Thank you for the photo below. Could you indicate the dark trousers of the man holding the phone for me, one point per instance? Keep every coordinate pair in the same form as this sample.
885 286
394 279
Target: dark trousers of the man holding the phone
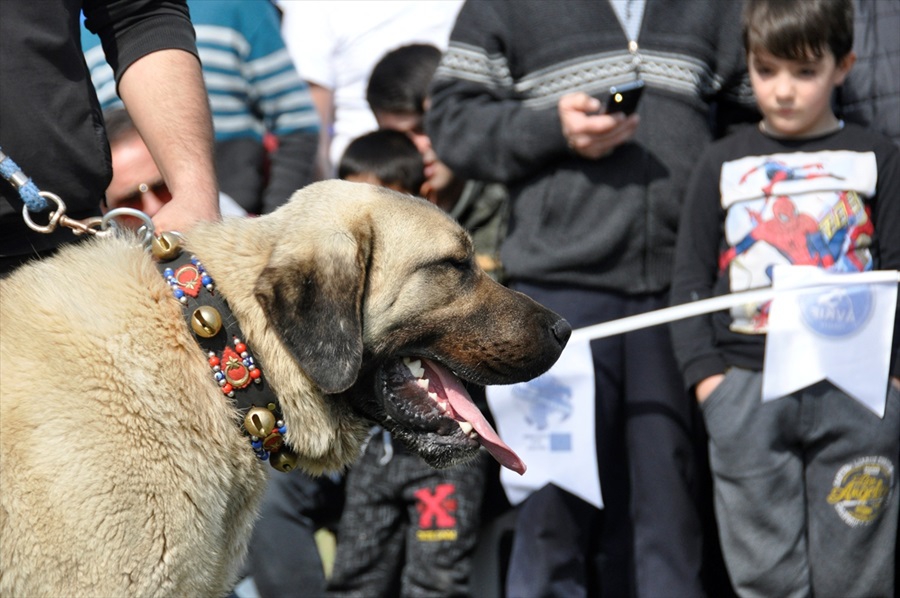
648 540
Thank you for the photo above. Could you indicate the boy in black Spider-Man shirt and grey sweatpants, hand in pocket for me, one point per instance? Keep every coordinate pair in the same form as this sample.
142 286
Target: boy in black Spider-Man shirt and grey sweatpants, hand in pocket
781 467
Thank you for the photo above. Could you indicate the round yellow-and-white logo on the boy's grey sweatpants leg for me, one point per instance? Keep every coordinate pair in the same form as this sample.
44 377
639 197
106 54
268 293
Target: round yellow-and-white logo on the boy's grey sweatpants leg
862 489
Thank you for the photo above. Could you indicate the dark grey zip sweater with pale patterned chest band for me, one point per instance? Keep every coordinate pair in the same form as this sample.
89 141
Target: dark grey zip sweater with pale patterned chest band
608 224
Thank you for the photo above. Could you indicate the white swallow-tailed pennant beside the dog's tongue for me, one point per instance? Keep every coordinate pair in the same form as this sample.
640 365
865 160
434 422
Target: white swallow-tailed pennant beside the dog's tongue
549 422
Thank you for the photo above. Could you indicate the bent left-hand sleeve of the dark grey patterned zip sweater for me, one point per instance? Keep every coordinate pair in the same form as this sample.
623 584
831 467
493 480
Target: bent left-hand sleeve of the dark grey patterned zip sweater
478 125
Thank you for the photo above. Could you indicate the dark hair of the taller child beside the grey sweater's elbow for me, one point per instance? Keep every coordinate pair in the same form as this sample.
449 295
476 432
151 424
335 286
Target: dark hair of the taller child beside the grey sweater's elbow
400 80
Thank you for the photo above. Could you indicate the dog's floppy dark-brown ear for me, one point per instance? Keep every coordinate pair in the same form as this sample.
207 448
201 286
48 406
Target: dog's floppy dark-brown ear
314 303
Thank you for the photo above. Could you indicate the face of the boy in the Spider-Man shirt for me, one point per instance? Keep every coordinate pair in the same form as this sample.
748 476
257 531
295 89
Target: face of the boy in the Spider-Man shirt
794 96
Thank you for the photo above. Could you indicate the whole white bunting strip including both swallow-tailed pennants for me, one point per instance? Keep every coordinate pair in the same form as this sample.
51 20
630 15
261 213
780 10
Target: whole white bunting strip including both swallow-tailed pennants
549 421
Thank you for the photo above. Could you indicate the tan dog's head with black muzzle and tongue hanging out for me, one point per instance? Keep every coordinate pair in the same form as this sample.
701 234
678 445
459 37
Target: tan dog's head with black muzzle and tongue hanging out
377 297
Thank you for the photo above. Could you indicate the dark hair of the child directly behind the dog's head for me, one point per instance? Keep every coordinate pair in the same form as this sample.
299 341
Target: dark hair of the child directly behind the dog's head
389 155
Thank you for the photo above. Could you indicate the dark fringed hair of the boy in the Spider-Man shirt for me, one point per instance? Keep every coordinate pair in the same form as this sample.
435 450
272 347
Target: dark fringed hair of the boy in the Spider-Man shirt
799 29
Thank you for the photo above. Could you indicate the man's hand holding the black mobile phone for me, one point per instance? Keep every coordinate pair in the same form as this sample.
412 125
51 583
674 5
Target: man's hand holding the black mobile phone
590 134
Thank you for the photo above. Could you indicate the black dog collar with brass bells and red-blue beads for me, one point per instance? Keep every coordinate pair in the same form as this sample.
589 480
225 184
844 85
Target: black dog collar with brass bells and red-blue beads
231 364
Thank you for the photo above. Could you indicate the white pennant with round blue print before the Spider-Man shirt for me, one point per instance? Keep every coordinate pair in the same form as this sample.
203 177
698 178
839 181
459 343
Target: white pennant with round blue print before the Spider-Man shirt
830 326
